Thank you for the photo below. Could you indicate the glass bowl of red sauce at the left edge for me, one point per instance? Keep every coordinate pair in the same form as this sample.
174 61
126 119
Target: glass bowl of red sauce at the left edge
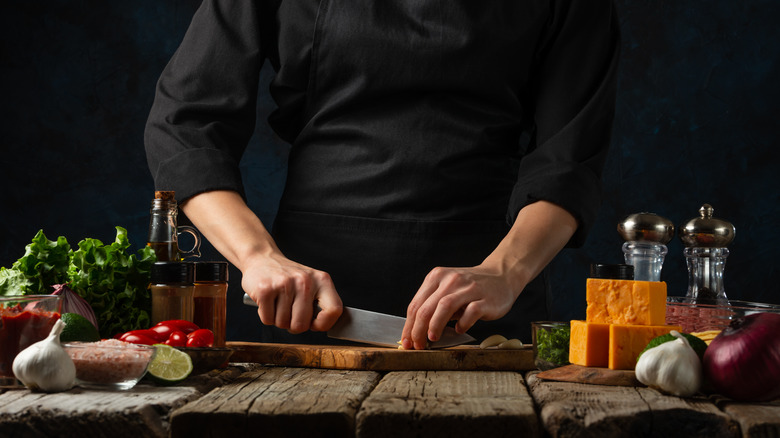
24 320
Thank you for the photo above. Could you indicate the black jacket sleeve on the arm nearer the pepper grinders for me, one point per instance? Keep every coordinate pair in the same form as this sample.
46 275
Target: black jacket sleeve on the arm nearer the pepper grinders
574 104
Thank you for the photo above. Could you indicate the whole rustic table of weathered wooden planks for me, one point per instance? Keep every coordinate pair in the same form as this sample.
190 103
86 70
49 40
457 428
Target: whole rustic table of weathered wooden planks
269 401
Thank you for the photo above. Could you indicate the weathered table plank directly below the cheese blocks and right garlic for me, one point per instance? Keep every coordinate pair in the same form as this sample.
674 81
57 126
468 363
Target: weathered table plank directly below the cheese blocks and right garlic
580 410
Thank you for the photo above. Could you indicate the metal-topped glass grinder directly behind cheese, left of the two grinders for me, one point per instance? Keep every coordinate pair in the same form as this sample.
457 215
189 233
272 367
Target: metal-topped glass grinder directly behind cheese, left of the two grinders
646 236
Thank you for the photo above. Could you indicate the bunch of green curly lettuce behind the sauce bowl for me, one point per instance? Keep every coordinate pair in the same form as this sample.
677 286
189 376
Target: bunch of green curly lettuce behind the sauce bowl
110 278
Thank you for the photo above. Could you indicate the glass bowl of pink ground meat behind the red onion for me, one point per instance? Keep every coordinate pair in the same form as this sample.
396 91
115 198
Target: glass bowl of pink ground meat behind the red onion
699 317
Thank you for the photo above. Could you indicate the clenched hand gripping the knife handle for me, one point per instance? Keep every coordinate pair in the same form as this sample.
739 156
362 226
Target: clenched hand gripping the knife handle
285 292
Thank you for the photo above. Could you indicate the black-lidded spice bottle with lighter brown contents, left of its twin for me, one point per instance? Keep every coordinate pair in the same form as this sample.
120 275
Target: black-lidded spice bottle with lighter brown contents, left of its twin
172 287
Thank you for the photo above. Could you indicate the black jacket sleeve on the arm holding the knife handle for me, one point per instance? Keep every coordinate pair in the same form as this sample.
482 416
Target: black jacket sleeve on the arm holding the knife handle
204 108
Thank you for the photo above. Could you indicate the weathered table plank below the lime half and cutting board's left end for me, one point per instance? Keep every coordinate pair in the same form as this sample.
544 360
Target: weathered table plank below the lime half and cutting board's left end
278 402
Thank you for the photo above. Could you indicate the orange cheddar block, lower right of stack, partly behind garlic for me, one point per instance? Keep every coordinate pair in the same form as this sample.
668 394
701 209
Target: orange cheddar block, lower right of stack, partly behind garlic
627 341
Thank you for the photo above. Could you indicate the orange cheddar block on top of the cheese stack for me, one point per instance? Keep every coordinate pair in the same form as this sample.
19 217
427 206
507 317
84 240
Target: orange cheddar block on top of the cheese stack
626 301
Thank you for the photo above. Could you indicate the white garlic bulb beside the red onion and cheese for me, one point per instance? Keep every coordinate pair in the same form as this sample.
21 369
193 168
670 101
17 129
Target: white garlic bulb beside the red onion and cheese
672 367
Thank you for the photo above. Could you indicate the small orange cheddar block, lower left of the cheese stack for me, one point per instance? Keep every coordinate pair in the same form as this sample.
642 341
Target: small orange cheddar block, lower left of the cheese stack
589 344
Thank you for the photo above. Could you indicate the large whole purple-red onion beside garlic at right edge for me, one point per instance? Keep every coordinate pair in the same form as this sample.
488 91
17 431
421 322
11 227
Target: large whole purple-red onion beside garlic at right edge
743 361
